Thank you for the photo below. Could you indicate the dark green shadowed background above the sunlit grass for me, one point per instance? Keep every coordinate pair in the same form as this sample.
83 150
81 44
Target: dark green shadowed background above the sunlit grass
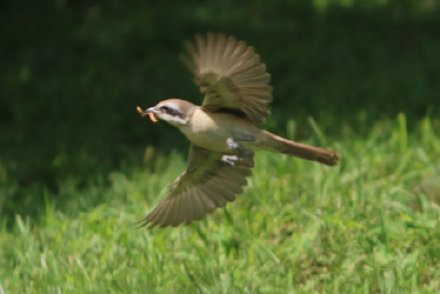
72 73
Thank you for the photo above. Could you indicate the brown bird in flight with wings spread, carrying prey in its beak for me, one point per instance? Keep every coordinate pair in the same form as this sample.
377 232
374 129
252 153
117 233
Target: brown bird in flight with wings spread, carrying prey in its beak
223 131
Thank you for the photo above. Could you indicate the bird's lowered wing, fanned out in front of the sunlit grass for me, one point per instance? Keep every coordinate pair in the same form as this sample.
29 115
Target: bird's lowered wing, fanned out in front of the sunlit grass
207 183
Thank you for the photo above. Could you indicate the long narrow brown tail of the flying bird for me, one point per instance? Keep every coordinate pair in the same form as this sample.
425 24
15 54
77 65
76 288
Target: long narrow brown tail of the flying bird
276 143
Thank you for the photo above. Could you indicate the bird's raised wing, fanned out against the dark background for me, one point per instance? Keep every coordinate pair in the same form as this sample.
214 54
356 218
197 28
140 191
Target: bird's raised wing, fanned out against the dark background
230 75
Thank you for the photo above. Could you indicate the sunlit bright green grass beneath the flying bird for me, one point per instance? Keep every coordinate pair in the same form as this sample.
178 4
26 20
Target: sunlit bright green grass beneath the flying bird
369 225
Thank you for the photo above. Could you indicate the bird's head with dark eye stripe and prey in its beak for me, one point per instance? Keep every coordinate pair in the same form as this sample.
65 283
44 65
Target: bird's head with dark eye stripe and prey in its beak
176 112
